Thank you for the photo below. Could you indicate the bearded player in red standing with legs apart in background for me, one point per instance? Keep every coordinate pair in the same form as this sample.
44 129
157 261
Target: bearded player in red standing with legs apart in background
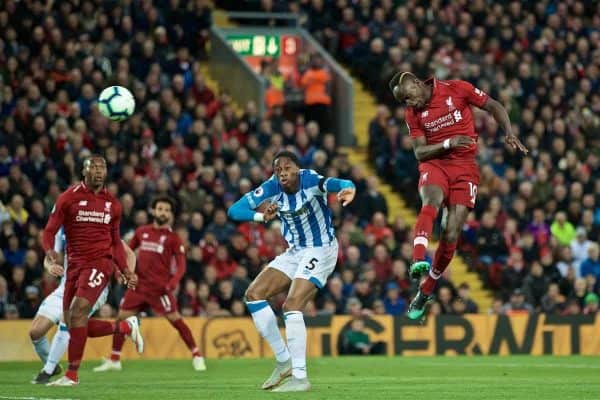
158 247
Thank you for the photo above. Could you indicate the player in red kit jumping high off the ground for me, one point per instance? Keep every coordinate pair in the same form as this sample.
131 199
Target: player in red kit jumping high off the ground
440 122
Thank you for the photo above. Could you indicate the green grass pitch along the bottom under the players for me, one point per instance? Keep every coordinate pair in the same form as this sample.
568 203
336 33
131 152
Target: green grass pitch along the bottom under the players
364 378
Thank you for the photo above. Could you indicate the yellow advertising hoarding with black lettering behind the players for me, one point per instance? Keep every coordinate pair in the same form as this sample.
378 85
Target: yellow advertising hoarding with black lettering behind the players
445 335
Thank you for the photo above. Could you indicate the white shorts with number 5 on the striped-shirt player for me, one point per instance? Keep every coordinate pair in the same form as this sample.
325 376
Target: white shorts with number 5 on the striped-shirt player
314 264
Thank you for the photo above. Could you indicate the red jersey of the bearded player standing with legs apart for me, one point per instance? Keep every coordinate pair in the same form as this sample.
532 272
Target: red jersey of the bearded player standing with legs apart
158 247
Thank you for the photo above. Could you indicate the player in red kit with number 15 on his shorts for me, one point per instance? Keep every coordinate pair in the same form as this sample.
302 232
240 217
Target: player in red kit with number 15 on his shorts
90 217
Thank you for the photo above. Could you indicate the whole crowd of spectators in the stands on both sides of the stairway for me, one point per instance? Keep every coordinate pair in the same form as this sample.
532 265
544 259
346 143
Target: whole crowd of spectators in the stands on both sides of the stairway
187 141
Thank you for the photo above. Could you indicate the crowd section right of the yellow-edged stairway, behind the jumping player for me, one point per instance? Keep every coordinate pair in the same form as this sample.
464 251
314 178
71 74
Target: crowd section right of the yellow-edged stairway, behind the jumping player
535 230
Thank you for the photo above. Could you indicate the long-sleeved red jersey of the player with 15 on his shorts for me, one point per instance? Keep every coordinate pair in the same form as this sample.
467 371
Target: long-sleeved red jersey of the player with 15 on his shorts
91 225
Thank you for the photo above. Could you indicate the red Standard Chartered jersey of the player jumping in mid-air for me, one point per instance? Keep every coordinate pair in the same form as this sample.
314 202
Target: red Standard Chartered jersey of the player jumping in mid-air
448 114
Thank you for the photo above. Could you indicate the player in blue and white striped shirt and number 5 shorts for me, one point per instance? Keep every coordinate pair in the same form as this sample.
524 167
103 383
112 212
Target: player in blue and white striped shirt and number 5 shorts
299 198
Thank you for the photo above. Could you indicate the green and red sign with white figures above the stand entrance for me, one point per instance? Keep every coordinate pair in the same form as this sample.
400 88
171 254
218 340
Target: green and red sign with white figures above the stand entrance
254 48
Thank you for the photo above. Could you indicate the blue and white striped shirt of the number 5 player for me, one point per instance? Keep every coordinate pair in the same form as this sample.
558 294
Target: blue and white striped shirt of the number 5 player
306 218
